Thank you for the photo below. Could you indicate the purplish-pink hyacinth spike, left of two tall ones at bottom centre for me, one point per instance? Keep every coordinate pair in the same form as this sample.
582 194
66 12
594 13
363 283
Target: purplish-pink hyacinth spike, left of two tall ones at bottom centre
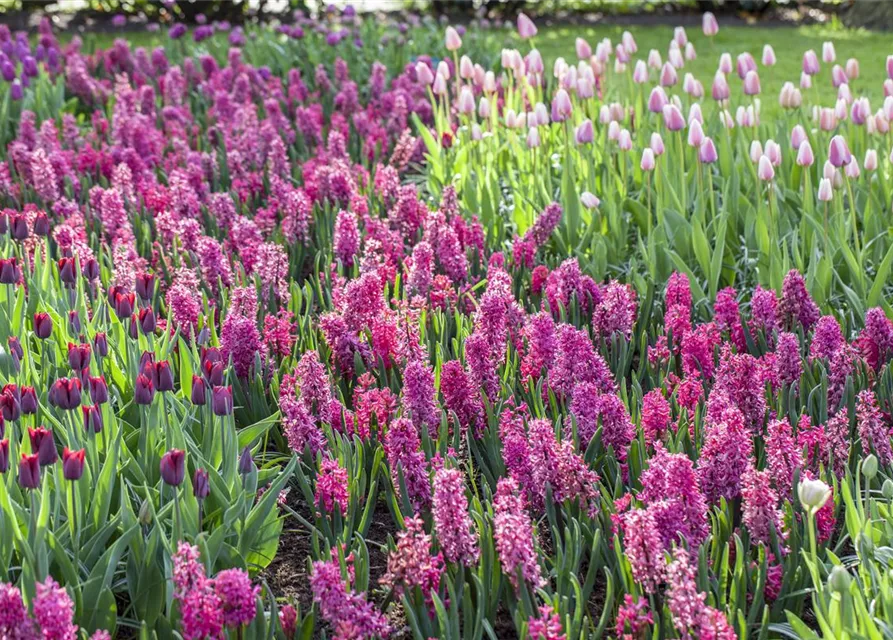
454 527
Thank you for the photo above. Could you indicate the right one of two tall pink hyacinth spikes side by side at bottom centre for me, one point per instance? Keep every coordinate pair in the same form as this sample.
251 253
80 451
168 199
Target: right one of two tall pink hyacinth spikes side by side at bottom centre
514 535
